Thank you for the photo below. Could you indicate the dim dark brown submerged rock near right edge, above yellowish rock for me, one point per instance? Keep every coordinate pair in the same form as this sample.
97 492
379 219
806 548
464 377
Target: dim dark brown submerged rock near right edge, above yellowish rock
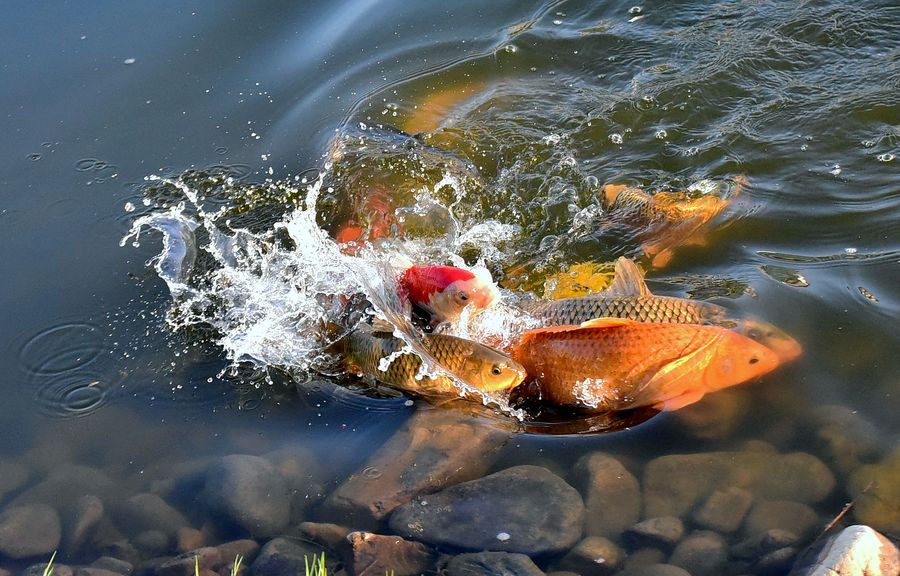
844 438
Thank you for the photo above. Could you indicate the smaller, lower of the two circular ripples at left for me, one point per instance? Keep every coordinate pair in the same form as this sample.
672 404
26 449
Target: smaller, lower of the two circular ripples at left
77 394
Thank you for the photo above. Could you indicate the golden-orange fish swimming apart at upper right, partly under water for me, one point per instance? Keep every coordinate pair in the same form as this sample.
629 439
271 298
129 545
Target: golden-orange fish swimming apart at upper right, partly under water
664 220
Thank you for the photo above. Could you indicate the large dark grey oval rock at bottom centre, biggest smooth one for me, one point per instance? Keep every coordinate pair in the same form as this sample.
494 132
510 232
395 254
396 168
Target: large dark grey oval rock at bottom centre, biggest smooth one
521 509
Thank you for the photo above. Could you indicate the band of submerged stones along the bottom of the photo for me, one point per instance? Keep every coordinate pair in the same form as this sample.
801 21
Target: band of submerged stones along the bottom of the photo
434 499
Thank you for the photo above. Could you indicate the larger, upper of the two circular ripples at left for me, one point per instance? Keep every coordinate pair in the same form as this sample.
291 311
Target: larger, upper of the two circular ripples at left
62 348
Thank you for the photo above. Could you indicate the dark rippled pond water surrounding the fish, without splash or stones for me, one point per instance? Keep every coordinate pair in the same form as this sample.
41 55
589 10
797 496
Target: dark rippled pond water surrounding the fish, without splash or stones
801 97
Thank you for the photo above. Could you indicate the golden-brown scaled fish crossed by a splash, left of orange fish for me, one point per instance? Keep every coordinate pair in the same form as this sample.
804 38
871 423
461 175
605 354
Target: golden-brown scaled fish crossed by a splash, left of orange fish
479 366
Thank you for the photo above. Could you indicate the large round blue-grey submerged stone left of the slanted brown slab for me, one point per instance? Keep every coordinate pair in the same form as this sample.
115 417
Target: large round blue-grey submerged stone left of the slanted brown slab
246 493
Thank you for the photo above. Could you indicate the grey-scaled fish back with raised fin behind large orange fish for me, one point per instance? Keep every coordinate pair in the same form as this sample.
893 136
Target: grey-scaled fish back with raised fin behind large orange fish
626 297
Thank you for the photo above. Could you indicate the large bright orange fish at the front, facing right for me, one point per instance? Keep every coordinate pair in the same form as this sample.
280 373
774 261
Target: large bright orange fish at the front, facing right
617 364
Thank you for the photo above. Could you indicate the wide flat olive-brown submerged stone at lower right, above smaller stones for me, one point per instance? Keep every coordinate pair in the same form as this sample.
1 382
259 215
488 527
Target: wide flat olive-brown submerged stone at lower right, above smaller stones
674 484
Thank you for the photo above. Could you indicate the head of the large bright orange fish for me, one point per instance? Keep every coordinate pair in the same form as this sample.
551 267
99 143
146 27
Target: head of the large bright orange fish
735 359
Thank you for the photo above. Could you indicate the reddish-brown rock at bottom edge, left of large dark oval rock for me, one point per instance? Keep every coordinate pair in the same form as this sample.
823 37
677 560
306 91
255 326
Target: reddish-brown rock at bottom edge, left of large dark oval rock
376 555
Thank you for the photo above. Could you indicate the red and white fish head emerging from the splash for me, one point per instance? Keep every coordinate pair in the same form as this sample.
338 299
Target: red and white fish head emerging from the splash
443 292
